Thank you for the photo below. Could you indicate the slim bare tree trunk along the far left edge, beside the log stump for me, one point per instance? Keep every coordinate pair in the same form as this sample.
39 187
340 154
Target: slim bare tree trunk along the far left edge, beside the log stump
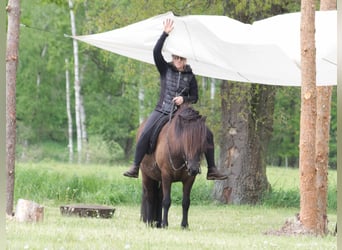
13 9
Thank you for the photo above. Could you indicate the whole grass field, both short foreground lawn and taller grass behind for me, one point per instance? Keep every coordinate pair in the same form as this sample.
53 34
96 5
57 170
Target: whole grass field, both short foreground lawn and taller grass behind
211 225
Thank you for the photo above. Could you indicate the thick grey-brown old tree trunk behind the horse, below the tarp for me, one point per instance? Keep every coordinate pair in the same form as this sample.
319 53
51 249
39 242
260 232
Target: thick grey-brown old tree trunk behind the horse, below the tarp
243 142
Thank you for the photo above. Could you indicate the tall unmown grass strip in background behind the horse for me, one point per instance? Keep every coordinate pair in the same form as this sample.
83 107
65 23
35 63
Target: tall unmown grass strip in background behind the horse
55 183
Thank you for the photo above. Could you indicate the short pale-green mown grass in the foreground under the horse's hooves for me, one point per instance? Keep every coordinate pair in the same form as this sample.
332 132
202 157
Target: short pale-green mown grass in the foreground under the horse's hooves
210 227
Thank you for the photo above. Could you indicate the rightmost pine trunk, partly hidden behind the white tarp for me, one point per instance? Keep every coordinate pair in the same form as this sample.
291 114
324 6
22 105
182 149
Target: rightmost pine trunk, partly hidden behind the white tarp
322 142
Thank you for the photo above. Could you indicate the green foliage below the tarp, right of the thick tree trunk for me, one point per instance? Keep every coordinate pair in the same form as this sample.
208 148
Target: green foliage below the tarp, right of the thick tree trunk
283 149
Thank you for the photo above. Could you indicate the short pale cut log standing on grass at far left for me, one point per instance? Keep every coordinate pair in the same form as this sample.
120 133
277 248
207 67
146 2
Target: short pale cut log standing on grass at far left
29 211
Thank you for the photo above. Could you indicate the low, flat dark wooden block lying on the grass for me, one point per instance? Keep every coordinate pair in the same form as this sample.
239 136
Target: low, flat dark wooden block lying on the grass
86 210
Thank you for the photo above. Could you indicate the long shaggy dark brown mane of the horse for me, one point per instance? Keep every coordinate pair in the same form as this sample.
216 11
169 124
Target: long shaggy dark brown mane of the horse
190 129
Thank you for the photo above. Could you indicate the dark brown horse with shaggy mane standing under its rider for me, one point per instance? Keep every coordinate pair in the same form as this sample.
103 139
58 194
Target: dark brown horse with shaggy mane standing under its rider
180 145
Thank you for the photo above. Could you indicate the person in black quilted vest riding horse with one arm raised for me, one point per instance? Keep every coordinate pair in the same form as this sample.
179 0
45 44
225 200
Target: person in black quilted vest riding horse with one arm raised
178 86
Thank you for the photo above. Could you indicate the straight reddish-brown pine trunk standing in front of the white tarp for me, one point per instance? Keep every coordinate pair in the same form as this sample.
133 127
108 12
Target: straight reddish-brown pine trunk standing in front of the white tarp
308 173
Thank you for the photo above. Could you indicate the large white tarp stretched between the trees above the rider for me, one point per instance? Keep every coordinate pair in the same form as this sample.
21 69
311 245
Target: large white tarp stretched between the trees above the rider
268 51
